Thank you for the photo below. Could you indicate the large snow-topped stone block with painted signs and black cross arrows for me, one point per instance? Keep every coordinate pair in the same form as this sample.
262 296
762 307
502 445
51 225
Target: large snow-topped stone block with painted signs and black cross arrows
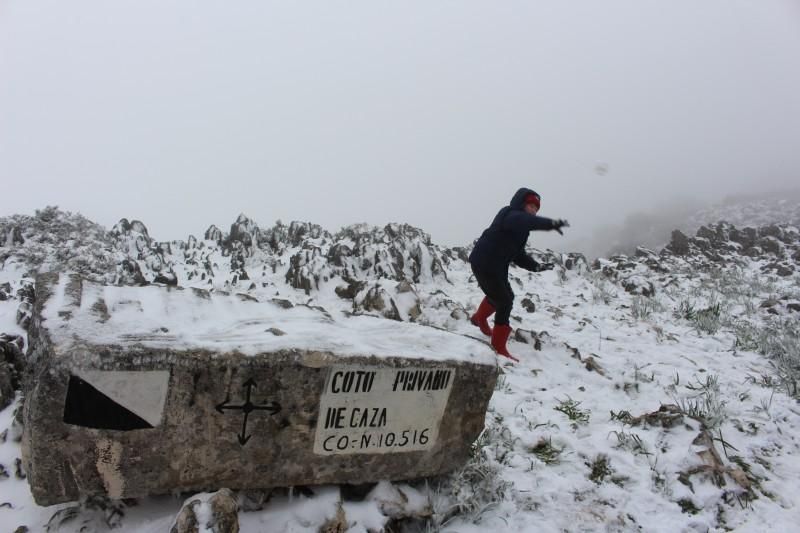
133 391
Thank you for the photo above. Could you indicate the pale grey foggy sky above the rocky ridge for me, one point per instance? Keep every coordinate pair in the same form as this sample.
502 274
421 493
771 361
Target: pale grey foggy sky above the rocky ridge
186 113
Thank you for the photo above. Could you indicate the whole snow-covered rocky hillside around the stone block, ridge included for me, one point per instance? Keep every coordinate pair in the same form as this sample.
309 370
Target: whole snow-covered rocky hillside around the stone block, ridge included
655 392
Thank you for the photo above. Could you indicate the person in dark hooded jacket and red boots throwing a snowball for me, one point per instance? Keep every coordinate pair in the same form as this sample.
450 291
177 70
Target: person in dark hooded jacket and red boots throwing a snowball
501 244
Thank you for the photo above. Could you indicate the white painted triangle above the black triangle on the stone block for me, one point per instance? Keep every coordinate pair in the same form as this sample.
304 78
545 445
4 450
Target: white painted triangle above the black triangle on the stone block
144 393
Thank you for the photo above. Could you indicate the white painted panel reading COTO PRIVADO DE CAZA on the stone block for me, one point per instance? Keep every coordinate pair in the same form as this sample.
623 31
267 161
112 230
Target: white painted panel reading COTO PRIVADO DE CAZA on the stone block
381 410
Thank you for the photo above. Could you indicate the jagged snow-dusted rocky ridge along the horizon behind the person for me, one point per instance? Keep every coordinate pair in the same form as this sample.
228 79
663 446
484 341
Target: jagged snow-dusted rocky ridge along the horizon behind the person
394 271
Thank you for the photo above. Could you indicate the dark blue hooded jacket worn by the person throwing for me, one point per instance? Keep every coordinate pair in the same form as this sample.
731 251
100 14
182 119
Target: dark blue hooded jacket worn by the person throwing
504 241
